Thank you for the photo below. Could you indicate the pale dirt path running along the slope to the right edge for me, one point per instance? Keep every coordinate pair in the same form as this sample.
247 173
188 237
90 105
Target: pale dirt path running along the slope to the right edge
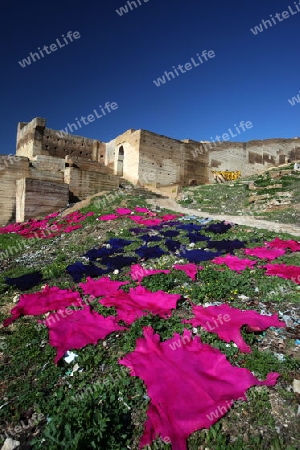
240 220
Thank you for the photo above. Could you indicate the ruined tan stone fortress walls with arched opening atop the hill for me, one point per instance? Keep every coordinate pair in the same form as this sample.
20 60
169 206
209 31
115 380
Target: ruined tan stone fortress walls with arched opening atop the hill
51 168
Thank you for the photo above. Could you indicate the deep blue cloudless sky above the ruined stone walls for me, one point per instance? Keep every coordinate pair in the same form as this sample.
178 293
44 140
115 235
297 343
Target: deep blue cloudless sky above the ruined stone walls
117 58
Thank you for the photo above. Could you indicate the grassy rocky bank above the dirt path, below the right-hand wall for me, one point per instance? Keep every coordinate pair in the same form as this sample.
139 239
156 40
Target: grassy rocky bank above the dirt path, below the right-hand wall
281 201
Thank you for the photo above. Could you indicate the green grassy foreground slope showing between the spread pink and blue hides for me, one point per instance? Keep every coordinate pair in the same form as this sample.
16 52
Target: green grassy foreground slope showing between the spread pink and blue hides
93 403
